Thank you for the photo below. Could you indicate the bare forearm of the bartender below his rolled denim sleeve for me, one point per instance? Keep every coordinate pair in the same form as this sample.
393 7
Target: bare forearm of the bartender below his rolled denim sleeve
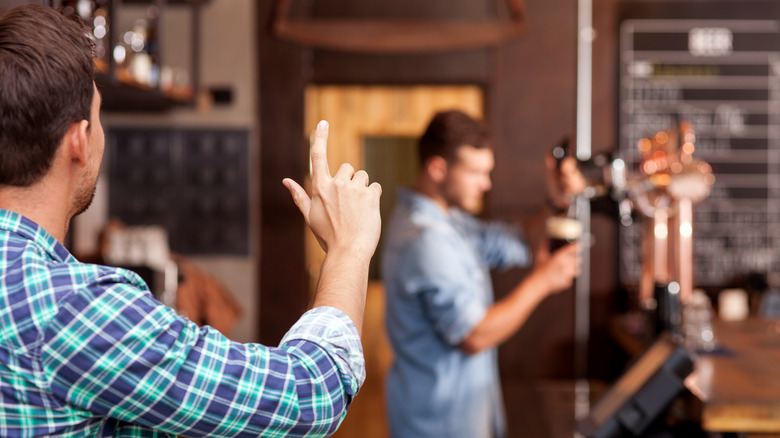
505 317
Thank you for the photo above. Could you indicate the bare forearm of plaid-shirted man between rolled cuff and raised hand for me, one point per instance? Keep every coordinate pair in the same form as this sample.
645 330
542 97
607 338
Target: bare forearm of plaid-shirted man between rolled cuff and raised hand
343 283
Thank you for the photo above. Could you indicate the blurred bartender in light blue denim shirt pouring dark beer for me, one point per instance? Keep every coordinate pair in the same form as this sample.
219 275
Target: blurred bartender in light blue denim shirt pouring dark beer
442 320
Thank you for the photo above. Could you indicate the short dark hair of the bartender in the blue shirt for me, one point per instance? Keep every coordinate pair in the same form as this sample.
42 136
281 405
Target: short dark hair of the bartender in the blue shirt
449 130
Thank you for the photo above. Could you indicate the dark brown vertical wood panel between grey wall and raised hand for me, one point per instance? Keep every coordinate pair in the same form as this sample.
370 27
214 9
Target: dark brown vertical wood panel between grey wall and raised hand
283 153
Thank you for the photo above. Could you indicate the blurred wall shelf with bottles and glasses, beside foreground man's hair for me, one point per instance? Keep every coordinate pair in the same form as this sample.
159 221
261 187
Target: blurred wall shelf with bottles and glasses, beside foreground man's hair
128 52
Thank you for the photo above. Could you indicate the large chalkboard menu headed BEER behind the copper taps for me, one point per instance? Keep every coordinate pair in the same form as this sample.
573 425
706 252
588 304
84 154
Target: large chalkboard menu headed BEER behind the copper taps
716 65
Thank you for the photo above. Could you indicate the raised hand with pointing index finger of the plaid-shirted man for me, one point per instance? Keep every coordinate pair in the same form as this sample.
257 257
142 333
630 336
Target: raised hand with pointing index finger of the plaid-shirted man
343 211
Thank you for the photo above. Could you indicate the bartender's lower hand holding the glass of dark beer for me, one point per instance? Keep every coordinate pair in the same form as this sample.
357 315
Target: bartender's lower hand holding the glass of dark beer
558 270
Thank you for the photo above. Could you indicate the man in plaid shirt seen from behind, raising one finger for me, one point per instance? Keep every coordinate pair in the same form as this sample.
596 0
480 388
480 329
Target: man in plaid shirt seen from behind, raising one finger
85 350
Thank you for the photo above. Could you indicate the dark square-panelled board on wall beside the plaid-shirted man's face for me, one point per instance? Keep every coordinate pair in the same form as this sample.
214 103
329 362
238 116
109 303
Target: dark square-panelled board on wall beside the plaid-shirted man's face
192 182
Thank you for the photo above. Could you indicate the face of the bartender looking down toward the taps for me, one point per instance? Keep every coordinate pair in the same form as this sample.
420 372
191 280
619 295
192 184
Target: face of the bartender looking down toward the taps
468 178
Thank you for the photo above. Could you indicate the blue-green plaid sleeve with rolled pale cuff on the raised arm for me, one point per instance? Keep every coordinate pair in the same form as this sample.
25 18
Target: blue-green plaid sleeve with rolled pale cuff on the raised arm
115 351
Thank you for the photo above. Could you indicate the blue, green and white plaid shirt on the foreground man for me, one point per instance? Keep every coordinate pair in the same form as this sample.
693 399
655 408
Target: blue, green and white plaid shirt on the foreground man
85 350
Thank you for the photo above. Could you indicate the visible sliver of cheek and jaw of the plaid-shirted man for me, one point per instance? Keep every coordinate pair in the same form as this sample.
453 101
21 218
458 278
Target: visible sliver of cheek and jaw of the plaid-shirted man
96 141
